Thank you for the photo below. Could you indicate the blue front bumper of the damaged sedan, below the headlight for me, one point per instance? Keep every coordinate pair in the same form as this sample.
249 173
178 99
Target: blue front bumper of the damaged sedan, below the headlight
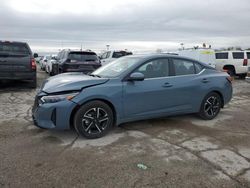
53 115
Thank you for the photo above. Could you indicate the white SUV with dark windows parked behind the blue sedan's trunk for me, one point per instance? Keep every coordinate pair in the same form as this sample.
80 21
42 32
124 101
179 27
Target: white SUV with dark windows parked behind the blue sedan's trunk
234 62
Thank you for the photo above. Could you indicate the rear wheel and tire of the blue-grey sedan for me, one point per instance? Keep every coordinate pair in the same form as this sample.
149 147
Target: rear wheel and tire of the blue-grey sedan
210 106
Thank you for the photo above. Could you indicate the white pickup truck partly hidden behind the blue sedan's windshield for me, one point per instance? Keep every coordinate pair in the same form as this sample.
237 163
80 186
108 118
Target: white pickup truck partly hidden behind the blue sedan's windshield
110 56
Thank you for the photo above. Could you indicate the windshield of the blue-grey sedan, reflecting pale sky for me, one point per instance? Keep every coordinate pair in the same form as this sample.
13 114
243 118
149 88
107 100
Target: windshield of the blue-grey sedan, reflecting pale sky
117 67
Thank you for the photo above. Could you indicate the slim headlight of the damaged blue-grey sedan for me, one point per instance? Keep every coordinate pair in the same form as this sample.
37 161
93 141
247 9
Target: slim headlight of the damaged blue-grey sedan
57 98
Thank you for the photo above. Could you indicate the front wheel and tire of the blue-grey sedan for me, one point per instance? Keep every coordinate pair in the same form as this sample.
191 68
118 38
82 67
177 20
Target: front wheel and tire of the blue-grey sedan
94 119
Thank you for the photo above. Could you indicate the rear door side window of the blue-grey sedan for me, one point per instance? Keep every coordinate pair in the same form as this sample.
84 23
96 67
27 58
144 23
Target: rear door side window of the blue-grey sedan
183 67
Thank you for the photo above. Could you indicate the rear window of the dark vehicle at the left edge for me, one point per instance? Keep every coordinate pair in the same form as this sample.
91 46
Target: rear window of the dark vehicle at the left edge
14 48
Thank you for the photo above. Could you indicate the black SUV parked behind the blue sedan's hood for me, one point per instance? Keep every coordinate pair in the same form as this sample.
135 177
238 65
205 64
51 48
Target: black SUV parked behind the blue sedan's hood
76 61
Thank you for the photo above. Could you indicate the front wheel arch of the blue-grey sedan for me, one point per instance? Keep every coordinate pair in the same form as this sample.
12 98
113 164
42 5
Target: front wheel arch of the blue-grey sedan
95 99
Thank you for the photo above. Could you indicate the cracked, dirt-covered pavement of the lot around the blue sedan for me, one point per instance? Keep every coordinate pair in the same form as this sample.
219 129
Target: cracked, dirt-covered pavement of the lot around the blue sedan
182 151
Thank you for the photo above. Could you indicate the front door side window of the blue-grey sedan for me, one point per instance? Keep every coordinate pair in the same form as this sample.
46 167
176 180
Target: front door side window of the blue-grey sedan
155 69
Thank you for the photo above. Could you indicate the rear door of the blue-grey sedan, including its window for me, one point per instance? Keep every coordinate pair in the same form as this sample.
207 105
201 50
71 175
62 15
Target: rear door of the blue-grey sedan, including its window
188 84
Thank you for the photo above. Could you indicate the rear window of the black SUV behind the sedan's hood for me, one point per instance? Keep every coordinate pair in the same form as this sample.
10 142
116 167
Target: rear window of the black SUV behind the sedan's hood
82 56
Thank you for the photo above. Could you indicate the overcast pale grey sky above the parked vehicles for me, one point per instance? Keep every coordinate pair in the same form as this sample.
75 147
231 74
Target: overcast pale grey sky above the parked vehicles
136 25
